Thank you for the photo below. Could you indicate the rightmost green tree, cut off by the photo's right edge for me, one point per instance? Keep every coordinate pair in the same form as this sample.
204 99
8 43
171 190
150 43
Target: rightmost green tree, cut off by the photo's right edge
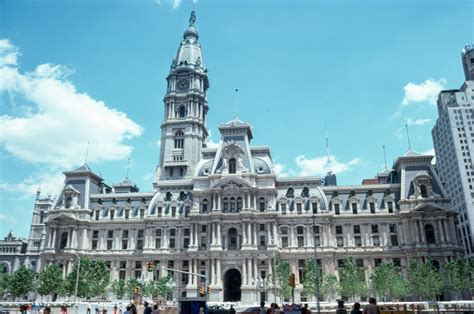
459 275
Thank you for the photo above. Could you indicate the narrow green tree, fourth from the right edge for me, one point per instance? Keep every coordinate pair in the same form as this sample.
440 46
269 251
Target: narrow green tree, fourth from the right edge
352 279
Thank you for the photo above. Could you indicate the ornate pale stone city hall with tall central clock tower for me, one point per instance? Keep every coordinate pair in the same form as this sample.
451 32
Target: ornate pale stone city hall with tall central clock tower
224 212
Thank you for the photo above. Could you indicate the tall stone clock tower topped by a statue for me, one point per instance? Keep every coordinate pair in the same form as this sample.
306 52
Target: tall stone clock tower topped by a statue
183 129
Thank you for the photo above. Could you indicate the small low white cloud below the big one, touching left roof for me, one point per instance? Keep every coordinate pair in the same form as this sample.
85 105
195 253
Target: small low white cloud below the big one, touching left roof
48 182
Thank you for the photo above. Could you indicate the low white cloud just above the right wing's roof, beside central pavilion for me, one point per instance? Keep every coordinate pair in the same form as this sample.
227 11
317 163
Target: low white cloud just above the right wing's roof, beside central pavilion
318 166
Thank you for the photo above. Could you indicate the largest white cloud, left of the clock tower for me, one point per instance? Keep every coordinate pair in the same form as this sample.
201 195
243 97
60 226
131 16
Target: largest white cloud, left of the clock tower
59 120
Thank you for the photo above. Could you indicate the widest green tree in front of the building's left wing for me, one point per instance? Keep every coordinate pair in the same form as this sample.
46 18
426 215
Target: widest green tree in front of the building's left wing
94 278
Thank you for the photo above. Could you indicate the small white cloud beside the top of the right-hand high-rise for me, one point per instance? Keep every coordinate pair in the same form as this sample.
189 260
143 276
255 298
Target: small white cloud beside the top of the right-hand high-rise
424 92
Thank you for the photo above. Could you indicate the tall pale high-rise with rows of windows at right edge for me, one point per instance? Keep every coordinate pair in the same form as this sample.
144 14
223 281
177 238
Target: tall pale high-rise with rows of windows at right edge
453 139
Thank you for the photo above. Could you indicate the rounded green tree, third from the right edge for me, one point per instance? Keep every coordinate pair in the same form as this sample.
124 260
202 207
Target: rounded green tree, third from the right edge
388 282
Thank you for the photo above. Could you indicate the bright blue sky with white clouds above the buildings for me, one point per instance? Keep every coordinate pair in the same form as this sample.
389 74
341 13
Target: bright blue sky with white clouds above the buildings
79 71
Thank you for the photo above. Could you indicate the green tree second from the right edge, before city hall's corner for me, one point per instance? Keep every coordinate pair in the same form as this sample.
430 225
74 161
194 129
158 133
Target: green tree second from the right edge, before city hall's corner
424 279
